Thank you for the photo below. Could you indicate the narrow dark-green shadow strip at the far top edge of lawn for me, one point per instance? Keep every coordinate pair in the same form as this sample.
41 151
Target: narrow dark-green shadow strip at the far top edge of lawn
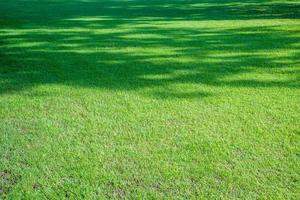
39 12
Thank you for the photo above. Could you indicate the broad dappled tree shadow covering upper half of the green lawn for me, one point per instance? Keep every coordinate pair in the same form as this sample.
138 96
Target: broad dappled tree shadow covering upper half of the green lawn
138 47
